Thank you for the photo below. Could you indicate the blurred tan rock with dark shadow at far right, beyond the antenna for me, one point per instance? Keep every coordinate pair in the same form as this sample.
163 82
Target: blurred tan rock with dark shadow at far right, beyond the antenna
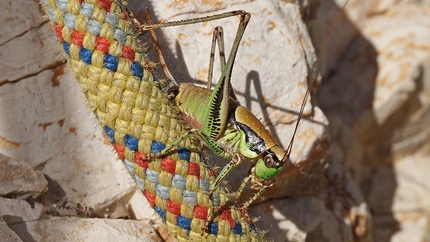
376 98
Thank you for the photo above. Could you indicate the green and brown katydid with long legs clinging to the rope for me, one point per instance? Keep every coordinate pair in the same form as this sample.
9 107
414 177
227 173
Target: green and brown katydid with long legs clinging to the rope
227 128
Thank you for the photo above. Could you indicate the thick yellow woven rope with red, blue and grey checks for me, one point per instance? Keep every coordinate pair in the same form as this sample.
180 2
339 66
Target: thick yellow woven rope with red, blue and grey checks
116 77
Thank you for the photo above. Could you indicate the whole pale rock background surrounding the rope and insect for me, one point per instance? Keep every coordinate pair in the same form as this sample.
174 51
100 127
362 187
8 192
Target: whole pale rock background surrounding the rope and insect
360 157
